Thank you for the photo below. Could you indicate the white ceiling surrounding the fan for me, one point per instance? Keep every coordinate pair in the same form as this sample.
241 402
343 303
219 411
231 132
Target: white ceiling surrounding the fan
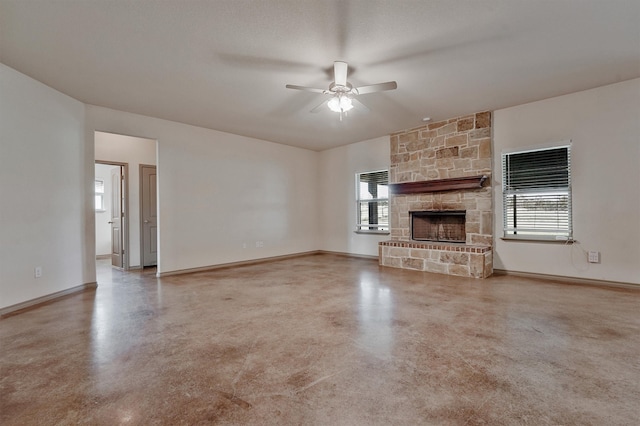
223 64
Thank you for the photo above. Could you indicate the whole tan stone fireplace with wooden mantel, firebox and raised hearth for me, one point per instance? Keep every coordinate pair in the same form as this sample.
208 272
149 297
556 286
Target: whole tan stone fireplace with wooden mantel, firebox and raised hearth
438 187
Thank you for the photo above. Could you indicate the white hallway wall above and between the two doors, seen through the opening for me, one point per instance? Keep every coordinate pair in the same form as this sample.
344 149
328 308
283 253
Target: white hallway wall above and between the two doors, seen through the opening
133 151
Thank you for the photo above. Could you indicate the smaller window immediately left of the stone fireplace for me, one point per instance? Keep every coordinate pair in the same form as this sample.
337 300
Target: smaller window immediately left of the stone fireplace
373 201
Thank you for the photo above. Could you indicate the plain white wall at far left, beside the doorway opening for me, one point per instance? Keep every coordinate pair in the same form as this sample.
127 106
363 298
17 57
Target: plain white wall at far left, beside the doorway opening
44 190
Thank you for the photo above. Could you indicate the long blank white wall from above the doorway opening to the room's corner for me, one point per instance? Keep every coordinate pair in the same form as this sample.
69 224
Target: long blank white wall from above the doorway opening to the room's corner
220 193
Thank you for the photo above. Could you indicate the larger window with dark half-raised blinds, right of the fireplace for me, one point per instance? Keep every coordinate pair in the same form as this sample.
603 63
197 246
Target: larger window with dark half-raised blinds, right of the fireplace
536 191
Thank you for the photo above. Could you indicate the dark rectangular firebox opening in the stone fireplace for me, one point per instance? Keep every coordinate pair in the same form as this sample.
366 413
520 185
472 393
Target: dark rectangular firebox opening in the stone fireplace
438 225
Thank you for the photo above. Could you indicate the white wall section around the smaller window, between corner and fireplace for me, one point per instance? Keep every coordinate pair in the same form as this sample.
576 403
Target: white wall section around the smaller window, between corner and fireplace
338 168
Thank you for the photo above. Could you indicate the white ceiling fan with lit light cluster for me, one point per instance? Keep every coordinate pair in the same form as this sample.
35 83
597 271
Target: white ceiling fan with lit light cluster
342 92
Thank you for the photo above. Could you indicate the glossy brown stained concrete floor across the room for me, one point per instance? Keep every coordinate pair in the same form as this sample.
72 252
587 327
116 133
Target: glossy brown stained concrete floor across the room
324 340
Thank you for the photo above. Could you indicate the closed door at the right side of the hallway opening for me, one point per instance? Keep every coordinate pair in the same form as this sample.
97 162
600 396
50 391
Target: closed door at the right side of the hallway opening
149 206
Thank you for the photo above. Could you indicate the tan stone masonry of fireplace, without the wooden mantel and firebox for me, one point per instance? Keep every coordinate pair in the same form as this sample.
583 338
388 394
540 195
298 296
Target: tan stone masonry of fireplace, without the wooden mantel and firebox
447 149
